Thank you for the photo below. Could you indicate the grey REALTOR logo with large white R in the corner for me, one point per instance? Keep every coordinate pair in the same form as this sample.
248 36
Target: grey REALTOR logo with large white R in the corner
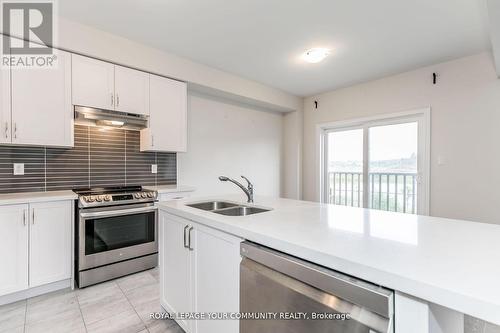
28 33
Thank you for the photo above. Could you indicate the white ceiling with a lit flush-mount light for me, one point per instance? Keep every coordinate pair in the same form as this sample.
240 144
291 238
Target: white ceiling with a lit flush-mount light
263 39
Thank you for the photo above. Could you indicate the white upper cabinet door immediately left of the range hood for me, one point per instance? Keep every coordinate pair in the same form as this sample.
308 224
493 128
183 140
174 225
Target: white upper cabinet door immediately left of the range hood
42 113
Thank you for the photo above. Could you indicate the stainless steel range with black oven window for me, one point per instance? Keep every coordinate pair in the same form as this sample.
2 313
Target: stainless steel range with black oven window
116 233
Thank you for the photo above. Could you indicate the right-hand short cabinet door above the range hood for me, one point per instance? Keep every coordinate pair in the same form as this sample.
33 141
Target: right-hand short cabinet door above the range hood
131 91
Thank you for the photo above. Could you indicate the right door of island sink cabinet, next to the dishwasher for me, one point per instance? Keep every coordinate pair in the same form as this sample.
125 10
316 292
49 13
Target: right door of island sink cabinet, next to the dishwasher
216 282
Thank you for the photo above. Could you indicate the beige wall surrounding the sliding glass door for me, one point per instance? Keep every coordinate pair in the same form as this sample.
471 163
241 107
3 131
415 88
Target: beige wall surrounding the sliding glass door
465 130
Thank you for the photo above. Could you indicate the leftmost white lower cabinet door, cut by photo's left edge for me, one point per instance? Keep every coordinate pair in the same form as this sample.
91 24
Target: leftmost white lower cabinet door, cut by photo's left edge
13 248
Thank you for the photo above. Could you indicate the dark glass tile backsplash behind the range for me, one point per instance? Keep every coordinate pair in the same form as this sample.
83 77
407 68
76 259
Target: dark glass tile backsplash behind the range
101 157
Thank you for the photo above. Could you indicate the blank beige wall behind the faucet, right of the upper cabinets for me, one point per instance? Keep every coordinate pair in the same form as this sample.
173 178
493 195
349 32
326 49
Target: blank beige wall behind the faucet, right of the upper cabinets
231 139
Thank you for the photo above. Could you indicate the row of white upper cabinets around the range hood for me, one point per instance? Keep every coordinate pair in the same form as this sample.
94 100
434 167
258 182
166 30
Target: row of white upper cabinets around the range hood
36 105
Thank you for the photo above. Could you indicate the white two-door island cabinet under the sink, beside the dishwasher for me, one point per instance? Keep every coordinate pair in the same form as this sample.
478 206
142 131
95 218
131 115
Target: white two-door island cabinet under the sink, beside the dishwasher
199 273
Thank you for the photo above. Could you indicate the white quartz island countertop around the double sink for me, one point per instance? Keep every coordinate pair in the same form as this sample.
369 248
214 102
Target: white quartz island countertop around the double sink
452 263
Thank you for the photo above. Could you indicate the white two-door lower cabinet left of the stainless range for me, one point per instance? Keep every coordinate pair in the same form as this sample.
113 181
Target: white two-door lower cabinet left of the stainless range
35 242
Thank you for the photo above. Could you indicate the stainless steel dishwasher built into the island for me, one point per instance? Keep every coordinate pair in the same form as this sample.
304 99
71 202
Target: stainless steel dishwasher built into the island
275 285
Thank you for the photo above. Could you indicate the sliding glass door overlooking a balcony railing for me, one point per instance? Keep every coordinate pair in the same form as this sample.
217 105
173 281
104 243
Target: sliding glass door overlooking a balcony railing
379 164
